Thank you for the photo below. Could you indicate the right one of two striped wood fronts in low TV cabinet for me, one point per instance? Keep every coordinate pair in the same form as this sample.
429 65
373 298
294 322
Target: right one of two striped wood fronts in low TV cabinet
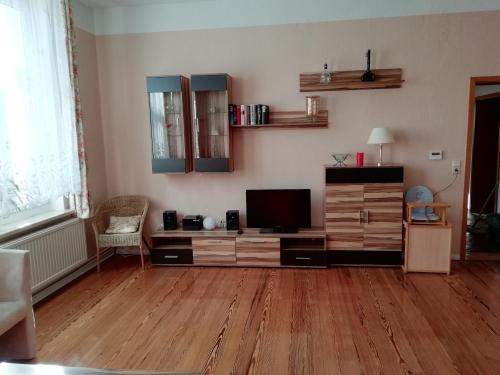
258 251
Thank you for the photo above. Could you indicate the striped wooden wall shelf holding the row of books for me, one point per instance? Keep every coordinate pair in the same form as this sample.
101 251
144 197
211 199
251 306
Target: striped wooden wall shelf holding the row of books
291 119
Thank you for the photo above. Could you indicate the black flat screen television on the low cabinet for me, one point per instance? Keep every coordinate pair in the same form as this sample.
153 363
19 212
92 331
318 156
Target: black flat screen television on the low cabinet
279 210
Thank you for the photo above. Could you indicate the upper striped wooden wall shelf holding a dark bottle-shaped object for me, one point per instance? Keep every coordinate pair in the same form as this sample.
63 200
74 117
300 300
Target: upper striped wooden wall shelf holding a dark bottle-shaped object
351 80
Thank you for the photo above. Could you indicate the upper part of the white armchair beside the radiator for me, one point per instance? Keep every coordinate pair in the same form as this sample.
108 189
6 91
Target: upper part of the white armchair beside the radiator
15 276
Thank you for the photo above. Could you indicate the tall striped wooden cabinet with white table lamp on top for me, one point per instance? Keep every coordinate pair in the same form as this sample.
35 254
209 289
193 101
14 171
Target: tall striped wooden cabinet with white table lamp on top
364 215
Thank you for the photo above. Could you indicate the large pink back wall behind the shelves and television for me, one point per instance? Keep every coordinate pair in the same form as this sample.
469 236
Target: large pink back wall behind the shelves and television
438 54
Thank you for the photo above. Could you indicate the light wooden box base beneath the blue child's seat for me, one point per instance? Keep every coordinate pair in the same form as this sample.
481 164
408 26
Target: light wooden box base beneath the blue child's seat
427 248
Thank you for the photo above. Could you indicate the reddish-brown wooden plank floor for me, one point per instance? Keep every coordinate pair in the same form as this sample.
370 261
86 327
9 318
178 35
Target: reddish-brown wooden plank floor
276 321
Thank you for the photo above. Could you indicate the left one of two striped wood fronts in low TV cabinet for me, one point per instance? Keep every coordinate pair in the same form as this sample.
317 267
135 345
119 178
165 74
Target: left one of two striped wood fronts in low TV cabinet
214 251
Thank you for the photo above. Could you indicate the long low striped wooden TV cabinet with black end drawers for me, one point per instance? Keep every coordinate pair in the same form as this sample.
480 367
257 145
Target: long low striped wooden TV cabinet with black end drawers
307 248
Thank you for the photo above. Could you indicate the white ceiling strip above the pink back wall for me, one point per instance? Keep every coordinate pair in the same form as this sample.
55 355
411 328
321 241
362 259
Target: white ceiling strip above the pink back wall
110 17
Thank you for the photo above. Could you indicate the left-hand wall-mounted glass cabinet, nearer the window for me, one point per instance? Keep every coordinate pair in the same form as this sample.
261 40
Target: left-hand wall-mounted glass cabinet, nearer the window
170 124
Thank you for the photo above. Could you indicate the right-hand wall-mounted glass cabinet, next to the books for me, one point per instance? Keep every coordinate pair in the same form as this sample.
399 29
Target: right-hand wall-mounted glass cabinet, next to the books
212 141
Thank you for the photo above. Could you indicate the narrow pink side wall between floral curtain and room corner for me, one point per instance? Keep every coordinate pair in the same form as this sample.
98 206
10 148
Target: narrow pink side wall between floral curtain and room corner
91 111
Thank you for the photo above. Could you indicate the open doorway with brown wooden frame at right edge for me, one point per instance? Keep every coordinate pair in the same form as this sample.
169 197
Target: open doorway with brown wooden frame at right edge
481 208
